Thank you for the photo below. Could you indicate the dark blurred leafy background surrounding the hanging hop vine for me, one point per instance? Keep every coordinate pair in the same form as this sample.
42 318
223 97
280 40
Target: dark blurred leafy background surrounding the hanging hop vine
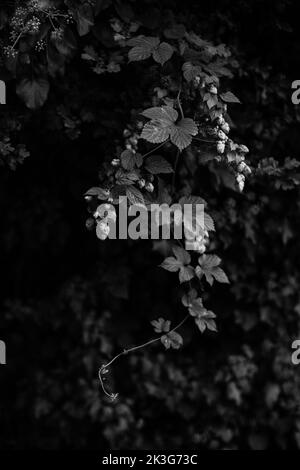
70 302
